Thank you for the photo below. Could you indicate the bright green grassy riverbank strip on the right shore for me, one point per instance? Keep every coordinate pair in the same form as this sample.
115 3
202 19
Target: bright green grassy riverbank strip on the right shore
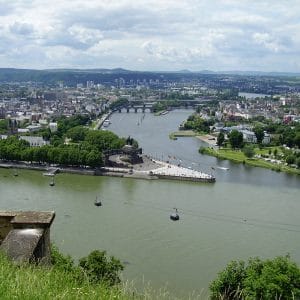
238 156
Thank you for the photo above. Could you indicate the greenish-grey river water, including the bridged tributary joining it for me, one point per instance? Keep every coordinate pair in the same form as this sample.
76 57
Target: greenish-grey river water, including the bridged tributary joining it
247 212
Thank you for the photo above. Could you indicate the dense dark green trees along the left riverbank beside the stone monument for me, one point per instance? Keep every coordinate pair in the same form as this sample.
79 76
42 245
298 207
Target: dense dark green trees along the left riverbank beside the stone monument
85 147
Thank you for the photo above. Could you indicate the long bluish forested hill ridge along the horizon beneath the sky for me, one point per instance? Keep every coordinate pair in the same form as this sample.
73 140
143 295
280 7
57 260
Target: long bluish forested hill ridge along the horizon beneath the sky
108 76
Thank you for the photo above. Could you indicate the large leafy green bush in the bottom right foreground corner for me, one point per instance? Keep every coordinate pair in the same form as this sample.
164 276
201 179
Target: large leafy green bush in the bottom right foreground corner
277 278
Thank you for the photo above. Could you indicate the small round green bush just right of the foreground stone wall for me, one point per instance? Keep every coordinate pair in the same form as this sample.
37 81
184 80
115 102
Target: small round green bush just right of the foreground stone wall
99 268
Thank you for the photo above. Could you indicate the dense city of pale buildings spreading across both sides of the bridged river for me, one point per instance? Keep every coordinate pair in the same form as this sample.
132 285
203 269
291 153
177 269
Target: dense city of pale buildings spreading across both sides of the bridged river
222 103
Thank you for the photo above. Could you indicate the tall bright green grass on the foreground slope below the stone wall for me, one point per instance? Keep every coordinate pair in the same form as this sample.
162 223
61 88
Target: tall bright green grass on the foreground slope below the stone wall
31 282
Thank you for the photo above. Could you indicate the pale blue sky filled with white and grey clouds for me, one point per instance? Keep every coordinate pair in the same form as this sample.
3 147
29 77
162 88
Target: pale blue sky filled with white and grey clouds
151 35
